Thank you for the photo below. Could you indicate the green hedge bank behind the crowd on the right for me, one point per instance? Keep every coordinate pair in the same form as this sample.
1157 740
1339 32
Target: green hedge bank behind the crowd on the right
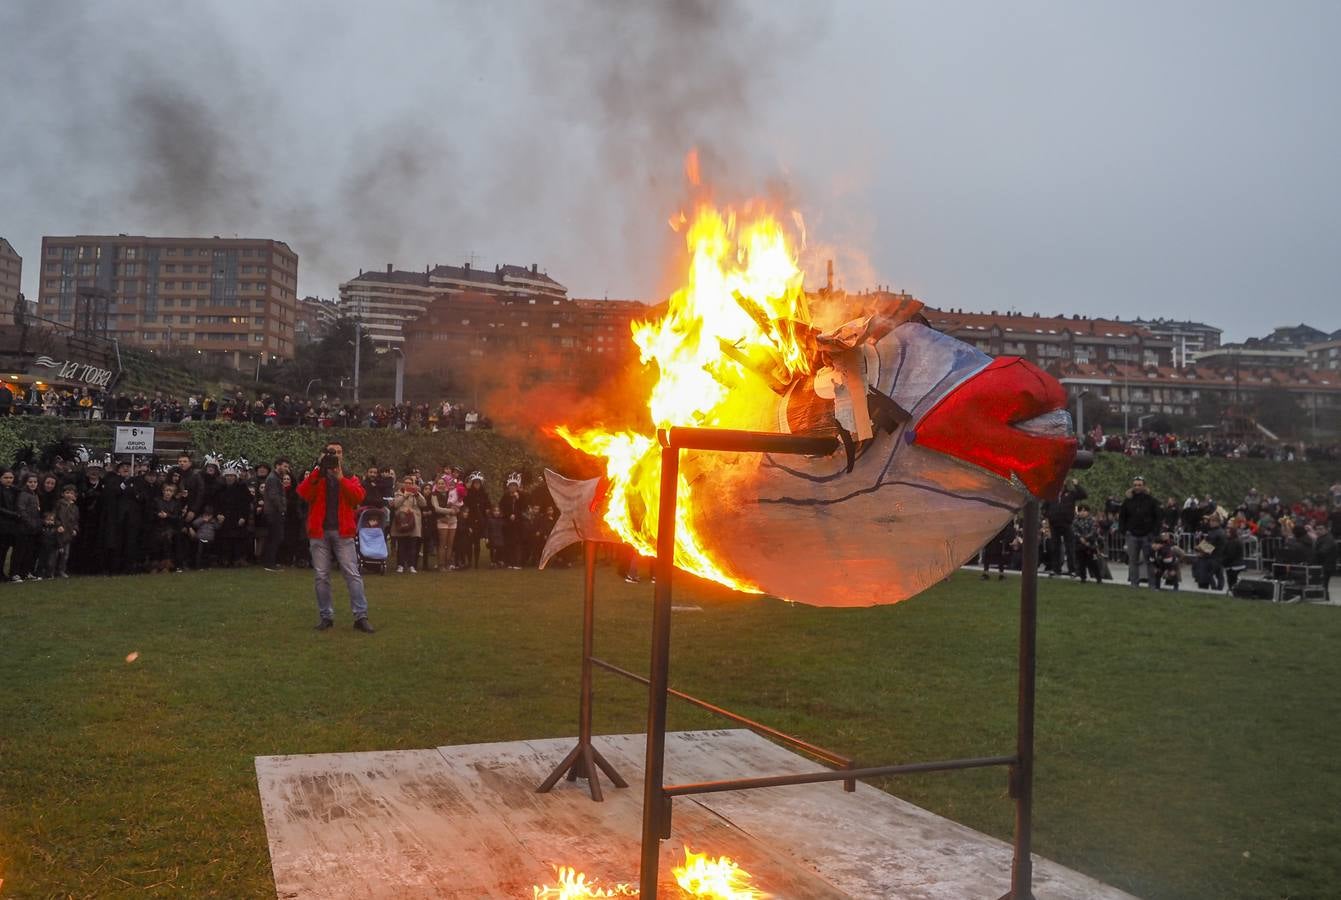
1225 480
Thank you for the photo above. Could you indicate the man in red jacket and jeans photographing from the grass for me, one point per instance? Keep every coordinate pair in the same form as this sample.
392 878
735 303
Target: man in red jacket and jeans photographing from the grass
332 498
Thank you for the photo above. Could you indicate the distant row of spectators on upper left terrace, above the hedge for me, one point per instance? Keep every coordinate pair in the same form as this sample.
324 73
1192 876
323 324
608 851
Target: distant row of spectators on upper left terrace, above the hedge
264 410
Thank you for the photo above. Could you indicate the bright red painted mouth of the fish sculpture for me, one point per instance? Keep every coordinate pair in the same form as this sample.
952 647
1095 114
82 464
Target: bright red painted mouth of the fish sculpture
980 423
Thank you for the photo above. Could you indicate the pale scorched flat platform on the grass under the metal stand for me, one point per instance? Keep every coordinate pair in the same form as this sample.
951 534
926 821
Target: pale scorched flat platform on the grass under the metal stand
466 823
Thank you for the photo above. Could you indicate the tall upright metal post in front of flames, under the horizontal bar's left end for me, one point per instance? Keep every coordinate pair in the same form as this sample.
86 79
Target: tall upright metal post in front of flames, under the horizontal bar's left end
656 805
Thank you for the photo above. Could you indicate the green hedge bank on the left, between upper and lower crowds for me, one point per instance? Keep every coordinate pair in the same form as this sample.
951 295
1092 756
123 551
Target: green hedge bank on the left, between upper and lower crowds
491 453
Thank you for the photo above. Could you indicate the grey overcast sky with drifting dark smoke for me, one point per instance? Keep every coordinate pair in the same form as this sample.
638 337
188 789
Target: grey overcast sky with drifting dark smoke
1138 159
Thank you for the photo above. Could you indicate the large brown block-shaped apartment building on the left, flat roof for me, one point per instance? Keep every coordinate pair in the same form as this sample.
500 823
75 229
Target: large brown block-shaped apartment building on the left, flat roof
229 301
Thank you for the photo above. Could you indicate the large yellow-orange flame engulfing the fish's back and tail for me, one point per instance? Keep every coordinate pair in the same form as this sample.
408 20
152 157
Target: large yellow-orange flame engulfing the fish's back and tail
734 335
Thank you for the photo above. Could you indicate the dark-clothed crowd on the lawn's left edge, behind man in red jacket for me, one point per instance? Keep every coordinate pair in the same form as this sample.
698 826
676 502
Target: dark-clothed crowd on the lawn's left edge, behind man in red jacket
61 517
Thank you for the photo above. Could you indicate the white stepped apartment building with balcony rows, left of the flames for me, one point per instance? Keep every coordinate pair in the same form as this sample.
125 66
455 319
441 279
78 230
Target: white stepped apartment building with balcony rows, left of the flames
387 302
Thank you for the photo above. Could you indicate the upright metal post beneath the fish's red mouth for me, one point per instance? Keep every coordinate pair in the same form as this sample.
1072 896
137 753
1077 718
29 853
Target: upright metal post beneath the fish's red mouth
1023 773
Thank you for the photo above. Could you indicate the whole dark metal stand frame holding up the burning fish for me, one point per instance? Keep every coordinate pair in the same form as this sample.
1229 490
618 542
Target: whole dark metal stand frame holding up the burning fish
584 760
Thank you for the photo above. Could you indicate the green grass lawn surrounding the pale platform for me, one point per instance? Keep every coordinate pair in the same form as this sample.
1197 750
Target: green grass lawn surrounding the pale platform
1189 746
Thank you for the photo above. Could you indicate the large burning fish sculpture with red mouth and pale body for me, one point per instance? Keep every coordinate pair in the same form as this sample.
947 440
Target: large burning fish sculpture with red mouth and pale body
939 446
